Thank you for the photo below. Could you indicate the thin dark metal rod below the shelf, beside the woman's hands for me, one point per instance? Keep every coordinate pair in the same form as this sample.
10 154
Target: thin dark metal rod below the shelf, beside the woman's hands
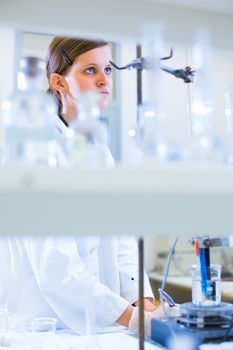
141 293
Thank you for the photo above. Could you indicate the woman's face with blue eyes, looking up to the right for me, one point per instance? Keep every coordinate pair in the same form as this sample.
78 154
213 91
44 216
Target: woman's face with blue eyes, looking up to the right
91 71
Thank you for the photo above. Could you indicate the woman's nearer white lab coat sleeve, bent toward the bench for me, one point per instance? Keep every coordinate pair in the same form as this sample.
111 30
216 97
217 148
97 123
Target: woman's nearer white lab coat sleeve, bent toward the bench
68 287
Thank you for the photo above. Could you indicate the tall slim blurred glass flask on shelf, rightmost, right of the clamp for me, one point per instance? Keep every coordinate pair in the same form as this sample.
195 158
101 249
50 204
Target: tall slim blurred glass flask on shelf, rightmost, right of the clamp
206 146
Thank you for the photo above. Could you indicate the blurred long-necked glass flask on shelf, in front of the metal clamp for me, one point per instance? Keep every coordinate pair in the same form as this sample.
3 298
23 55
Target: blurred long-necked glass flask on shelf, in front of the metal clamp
150 142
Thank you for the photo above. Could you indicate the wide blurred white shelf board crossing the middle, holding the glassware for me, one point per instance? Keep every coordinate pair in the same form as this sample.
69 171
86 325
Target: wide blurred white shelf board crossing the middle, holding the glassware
178 199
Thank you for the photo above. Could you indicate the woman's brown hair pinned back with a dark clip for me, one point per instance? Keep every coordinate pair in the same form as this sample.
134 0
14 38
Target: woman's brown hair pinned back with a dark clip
62 53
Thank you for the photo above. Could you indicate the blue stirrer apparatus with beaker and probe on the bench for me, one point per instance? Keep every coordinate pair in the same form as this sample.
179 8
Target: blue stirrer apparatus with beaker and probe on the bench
206 318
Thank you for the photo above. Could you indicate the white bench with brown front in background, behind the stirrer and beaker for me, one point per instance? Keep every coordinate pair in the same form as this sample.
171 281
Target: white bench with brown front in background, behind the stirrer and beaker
179 287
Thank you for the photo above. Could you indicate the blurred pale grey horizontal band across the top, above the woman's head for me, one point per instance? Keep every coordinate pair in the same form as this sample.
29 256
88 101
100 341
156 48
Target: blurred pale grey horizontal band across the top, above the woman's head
117 19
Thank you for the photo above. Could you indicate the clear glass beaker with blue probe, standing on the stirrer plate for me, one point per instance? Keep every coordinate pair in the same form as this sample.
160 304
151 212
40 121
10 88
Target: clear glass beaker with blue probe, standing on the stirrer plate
206 291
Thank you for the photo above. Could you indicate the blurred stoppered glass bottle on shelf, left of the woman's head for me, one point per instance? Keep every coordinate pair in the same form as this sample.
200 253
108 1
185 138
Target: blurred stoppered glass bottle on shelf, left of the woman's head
27 117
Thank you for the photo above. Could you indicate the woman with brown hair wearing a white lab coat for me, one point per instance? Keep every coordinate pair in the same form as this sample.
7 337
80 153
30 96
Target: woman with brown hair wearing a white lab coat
65 277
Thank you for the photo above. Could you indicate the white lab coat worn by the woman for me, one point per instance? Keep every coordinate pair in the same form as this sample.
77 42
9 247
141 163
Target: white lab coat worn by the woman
70 279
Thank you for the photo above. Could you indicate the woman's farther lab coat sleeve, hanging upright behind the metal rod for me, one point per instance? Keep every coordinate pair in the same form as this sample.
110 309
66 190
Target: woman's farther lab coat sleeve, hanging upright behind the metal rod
128 269
